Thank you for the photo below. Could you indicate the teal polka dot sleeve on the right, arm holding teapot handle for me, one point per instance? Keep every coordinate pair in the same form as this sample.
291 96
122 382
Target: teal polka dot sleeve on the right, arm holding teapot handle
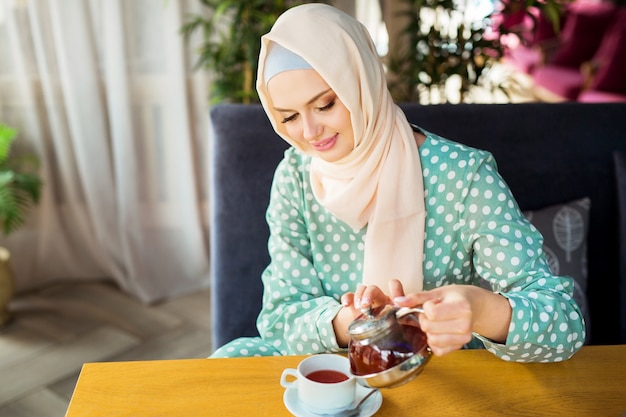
546 323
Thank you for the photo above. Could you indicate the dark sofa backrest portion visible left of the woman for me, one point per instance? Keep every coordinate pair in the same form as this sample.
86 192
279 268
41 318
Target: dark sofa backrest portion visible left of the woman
244 152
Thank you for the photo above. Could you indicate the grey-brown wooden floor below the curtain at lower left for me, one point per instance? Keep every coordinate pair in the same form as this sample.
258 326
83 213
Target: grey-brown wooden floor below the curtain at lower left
57 329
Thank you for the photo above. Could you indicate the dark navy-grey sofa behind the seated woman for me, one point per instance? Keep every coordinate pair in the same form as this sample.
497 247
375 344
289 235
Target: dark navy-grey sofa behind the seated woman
548 153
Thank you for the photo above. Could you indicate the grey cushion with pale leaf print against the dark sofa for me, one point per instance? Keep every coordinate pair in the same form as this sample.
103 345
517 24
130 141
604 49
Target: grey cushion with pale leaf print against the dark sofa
564 228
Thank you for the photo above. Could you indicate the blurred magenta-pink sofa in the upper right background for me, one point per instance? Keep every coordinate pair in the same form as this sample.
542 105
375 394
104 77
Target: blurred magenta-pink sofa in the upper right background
586 61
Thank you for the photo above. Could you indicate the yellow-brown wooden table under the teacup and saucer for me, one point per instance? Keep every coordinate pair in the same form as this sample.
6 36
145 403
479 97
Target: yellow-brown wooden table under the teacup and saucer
464 383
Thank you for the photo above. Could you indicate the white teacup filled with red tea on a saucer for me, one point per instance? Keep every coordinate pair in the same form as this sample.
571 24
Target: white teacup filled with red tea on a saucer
324 382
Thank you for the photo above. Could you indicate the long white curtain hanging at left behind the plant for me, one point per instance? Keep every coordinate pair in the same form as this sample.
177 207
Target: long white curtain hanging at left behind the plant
103 91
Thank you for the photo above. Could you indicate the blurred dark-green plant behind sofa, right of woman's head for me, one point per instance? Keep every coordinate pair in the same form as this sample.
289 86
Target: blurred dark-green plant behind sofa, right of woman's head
449 44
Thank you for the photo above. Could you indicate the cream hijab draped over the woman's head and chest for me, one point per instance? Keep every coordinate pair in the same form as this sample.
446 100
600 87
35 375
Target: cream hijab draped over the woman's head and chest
379 184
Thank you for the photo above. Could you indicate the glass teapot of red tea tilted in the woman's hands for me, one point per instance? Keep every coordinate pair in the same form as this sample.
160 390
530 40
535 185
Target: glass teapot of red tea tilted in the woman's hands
387 347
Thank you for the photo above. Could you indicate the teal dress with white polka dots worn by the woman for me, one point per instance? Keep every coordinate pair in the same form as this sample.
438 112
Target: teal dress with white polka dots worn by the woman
475 234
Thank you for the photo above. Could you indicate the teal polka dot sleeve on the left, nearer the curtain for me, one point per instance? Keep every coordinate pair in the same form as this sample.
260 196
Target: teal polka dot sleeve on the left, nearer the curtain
296 316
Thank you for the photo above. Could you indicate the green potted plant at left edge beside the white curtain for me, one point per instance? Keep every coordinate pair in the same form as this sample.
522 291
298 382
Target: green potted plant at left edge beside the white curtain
20 187
